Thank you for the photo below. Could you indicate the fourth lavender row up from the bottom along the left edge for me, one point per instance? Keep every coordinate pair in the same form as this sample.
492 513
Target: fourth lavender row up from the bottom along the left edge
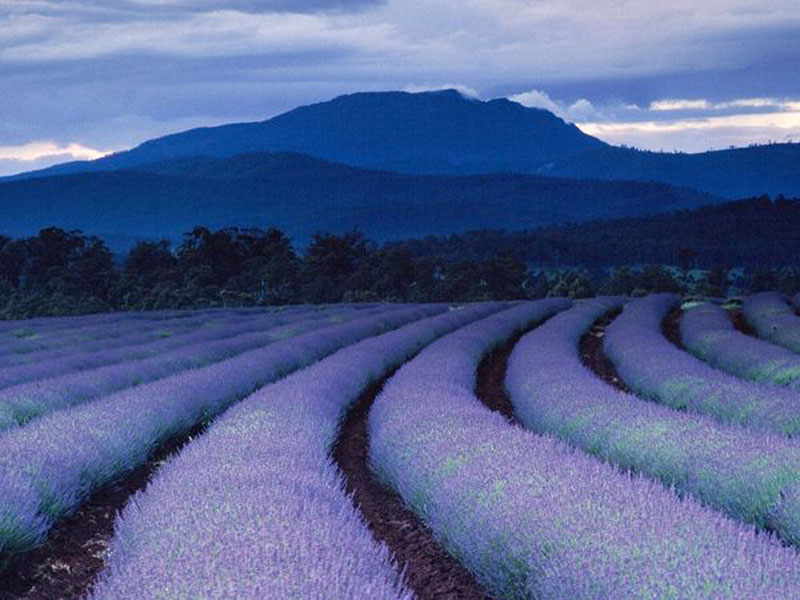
146 333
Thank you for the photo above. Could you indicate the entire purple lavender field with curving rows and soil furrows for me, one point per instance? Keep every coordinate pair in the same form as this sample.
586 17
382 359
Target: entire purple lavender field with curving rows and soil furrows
611 447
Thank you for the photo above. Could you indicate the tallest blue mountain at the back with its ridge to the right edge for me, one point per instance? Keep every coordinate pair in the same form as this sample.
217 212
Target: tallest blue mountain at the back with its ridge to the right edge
445 132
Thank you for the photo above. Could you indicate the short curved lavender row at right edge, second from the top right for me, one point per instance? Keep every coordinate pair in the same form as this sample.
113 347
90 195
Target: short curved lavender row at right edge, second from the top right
709 334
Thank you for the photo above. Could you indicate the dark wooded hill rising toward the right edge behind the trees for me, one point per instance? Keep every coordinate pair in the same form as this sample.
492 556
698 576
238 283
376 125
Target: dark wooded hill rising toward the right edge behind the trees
753 232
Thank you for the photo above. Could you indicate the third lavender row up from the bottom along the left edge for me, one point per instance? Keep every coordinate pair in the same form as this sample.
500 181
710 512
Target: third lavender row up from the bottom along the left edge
55 362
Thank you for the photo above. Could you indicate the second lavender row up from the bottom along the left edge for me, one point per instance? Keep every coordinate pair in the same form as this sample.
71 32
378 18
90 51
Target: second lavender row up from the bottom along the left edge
22 403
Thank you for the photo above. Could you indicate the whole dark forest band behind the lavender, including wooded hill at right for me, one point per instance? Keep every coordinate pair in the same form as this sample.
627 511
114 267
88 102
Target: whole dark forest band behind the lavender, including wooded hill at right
739 247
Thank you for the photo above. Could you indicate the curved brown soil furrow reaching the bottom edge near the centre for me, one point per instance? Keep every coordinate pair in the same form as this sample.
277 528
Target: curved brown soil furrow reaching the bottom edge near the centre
428 569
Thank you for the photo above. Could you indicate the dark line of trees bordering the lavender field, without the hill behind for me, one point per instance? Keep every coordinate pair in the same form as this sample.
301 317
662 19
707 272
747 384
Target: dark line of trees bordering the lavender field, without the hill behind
58 272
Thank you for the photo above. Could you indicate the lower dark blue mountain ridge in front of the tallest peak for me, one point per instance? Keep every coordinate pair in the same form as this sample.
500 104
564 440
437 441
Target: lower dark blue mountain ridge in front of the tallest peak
303 195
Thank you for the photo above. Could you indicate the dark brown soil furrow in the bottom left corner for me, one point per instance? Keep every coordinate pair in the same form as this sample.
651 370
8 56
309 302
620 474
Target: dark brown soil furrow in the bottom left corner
66 565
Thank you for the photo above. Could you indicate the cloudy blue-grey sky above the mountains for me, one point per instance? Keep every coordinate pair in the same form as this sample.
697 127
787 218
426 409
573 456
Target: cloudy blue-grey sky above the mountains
81 78
